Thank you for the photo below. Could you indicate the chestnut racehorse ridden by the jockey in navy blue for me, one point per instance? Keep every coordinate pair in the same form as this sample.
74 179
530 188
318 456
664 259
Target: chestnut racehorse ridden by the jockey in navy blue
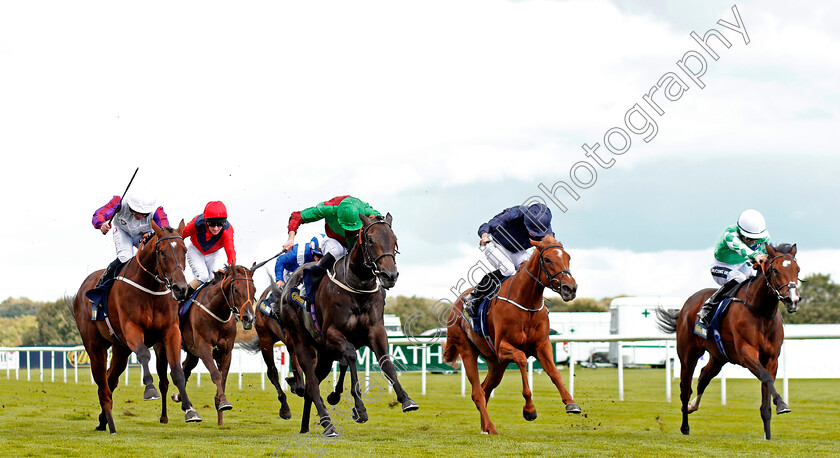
518 326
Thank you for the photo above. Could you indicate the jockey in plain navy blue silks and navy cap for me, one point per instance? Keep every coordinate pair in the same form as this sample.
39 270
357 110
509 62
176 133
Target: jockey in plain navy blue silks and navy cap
506 241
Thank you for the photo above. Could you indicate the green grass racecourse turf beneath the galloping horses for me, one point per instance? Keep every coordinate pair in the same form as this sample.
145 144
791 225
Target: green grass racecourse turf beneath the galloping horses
45 418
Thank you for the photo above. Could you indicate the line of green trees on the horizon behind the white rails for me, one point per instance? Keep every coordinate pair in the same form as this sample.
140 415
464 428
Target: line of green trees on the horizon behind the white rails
25 322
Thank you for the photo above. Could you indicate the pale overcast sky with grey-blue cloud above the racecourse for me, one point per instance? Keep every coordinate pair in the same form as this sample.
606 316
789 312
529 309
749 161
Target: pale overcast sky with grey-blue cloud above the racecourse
439 112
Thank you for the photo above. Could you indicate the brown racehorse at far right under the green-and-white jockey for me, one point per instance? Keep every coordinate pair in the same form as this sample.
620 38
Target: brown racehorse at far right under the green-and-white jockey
751 332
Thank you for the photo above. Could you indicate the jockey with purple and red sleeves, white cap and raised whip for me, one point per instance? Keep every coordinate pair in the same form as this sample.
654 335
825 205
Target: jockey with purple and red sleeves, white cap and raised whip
133 218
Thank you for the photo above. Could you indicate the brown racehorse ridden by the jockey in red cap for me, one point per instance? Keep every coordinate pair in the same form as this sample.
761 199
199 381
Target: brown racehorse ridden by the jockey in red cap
209 330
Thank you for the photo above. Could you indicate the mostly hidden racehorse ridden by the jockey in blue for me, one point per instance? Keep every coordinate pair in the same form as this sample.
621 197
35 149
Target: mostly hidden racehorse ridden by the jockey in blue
269 332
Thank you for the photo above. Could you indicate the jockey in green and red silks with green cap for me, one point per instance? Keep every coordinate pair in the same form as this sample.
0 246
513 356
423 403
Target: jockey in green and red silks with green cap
342 223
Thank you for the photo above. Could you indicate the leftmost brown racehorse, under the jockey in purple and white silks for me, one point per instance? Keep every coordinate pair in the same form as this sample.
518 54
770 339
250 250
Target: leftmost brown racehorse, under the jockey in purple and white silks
142 313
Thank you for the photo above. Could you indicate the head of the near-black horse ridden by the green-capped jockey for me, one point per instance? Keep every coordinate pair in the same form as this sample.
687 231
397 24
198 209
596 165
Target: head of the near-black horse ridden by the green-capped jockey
379 248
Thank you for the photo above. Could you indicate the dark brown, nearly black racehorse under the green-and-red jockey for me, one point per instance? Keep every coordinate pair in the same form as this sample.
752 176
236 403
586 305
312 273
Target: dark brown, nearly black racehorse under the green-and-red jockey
345 315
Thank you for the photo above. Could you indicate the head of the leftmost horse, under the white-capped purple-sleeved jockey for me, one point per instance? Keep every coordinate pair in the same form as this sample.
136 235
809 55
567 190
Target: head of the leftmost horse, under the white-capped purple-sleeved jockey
171 257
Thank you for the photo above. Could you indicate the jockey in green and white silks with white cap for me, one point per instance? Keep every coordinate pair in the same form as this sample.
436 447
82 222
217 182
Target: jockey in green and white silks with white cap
738 248
